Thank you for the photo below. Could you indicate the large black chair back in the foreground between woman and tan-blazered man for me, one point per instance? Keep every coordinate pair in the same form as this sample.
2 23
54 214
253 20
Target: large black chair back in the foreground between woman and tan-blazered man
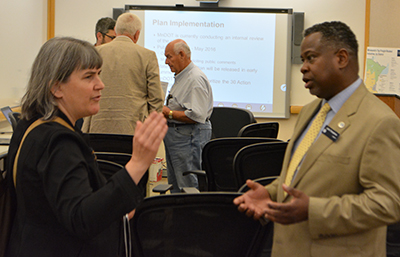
206 224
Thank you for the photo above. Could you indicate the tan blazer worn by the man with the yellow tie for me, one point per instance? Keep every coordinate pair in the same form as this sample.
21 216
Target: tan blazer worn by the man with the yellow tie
353 183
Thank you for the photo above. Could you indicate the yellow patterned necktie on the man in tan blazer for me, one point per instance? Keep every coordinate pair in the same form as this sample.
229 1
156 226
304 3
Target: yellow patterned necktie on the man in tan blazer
307 141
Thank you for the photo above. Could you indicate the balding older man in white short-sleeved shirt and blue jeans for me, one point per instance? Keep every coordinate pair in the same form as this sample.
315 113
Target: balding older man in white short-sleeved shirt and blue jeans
188 109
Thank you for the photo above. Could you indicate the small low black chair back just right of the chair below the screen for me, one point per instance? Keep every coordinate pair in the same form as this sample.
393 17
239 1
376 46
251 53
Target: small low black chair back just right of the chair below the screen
265 129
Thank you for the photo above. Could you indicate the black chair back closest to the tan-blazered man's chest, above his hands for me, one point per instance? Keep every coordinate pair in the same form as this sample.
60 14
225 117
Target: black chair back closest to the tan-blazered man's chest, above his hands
259 160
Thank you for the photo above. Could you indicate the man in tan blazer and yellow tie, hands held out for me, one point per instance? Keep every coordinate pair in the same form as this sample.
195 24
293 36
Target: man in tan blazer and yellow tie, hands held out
346 190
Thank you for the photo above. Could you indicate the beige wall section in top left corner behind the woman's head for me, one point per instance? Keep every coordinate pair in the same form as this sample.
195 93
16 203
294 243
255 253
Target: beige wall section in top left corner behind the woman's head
23 32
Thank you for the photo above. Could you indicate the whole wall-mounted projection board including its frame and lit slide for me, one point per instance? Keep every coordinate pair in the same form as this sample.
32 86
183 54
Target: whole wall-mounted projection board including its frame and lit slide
245 52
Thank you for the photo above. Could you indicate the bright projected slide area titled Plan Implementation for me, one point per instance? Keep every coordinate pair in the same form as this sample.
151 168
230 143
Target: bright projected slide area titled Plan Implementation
214 41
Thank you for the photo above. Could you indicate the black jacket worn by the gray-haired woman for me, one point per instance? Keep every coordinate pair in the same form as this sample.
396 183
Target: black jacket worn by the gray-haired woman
65 207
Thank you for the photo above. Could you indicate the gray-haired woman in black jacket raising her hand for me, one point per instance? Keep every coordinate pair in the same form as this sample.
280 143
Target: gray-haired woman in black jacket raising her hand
65 207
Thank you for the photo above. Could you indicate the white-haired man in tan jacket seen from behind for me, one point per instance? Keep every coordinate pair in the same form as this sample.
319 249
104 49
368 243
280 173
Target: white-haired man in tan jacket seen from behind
131 77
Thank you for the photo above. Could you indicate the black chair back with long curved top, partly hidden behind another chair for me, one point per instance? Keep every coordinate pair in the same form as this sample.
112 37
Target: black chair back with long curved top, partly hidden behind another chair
217 161
